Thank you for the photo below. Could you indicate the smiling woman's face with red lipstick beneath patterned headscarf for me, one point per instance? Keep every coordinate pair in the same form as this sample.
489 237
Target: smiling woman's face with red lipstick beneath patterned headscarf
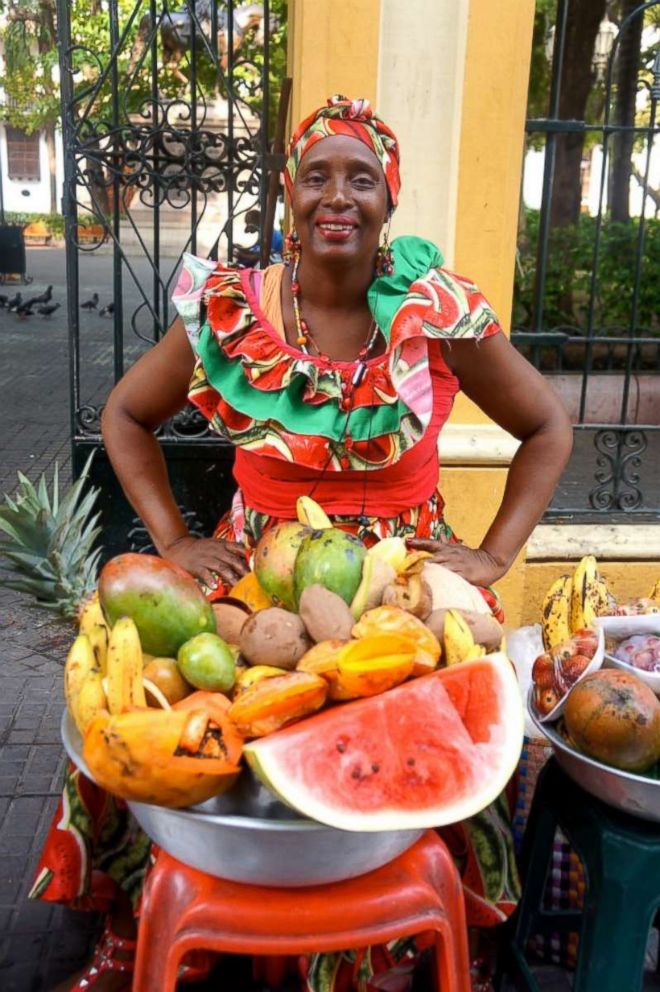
339 201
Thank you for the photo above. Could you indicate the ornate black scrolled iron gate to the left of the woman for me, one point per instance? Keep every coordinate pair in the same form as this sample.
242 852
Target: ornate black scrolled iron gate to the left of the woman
165 126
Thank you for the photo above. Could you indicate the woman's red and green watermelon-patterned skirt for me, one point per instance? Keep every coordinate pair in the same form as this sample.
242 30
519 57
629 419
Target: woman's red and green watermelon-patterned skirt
94 843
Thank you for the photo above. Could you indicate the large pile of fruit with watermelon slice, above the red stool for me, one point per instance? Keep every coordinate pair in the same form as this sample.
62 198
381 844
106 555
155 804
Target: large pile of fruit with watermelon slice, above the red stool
168 690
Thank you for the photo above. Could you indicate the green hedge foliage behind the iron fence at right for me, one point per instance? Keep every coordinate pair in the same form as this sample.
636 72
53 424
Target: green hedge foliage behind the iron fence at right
569 274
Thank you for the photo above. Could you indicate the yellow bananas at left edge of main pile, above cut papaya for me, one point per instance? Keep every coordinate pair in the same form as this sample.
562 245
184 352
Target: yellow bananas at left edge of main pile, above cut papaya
104 673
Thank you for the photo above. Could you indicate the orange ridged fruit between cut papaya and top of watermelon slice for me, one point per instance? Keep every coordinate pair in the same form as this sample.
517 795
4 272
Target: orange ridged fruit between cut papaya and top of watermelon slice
273 703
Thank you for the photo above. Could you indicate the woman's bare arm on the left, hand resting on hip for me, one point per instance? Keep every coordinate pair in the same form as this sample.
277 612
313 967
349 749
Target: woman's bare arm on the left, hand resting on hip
154 389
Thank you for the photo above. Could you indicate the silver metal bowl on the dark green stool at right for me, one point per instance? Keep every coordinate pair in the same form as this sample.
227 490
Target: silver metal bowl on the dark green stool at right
630 793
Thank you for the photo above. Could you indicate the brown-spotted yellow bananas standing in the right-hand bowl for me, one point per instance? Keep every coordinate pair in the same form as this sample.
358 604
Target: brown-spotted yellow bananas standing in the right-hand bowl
573 602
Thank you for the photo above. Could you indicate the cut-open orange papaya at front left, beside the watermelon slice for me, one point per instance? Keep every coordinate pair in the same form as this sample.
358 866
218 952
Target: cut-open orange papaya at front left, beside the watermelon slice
174 758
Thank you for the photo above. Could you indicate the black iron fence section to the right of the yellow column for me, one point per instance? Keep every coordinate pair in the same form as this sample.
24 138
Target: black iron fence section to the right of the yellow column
588 293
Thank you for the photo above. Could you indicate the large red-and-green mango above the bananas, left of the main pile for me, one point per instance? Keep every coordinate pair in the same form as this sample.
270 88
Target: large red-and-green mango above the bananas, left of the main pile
164 601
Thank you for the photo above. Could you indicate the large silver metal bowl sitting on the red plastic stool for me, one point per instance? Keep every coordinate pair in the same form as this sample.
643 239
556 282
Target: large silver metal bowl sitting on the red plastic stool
246 835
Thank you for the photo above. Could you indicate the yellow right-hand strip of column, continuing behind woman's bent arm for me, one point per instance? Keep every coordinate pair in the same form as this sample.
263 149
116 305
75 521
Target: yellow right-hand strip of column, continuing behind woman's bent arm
499 44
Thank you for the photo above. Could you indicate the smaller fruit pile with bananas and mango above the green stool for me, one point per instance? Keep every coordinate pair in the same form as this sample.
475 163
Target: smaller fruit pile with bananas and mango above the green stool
610 714
